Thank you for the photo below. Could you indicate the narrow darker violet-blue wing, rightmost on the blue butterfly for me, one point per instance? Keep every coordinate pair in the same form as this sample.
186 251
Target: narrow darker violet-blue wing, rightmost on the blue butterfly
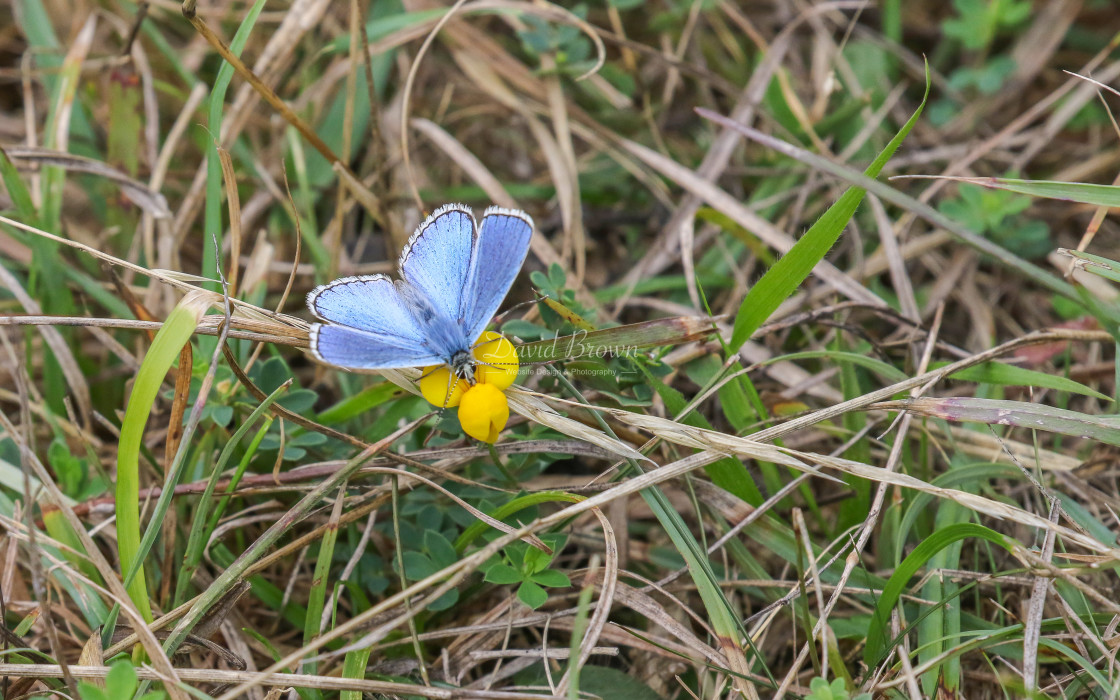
503 244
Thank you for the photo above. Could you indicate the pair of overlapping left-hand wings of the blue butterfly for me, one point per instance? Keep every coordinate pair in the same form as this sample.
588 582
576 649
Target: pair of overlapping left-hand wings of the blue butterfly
372 326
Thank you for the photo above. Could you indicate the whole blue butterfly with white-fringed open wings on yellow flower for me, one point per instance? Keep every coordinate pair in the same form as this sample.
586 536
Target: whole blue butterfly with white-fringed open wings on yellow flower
454 276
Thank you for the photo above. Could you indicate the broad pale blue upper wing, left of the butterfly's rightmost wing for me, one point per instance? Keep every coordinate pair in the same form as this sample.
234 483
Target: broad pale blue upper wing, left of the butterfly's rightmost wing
436 263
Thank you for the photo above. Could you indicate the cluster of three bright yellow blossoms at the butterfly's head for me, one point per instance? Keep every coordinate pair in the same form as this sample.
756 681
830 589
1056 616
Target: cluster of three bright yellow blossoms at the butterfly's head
483 408
